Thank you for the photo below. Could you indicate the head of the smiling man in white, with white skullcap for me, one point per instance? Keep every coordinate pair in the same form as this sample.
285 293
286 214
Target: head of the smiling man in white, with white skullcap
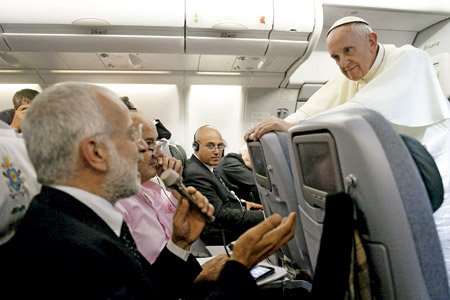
354 48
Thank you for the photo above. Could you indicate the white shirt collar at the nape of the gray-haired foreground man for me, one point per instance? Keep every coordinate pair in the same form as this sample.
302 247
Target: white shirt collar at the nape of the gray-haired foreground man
102 207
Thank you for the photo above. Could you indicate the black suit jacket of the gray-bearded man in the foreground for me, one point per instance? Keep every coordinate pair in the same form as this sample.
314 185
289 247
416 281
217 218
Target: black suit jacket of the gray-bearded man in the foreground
62 249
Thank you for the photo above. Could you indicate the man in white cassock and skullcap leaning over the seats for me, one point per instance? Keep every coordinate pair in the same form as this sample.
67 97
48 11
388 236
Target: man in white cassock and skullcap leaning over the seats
400 83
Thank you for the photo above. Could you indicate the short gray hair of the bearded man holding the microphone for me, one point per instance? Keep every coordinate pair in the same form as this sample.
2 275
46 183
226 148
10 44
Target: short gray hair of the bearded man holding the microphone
56 124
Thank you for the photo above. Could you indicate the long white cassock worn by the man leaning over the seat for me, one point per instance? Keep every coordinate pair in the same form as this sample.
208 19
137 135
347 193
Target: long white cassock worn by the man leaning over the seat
403 87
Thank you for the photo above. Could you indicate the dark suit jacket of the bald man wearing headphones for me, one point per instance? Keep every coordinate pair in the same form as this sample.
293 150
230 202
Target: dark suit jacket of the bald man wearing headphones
228 212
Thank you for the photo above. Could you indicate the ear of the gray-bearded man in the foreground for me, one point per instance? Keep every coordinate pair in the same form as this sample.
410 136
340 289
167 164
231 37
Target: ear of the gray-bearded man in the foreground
95 154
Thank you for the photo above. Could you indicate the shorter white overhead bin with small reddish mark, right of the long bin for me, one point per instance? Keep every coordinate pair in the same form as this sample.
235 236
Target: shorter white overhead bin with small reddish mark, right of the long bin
232 27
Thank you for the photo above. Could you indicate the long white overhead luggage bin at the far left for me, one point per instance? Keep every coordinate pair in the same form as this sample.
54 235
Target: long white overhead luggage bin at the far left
93 26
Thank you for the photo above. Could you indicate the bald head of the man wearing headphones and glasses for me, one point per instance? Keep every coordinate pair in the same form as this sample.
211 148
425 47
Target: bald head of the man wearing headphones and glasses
209 141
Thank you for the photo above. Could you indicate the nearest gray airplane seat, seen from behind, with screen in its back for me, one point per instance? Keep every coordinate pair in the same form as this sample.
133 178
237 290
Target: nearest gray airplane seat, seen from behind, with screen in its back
358 152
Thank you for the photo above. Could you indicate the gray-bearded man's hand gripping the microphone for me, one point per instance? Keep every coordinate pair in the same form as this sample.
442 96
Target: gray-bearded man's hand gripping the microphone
188 222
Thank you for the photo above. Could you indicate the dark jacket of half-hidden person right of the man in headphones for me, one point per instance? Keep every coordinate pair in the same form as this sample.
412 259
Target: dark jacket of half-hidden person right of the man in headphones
232 167
